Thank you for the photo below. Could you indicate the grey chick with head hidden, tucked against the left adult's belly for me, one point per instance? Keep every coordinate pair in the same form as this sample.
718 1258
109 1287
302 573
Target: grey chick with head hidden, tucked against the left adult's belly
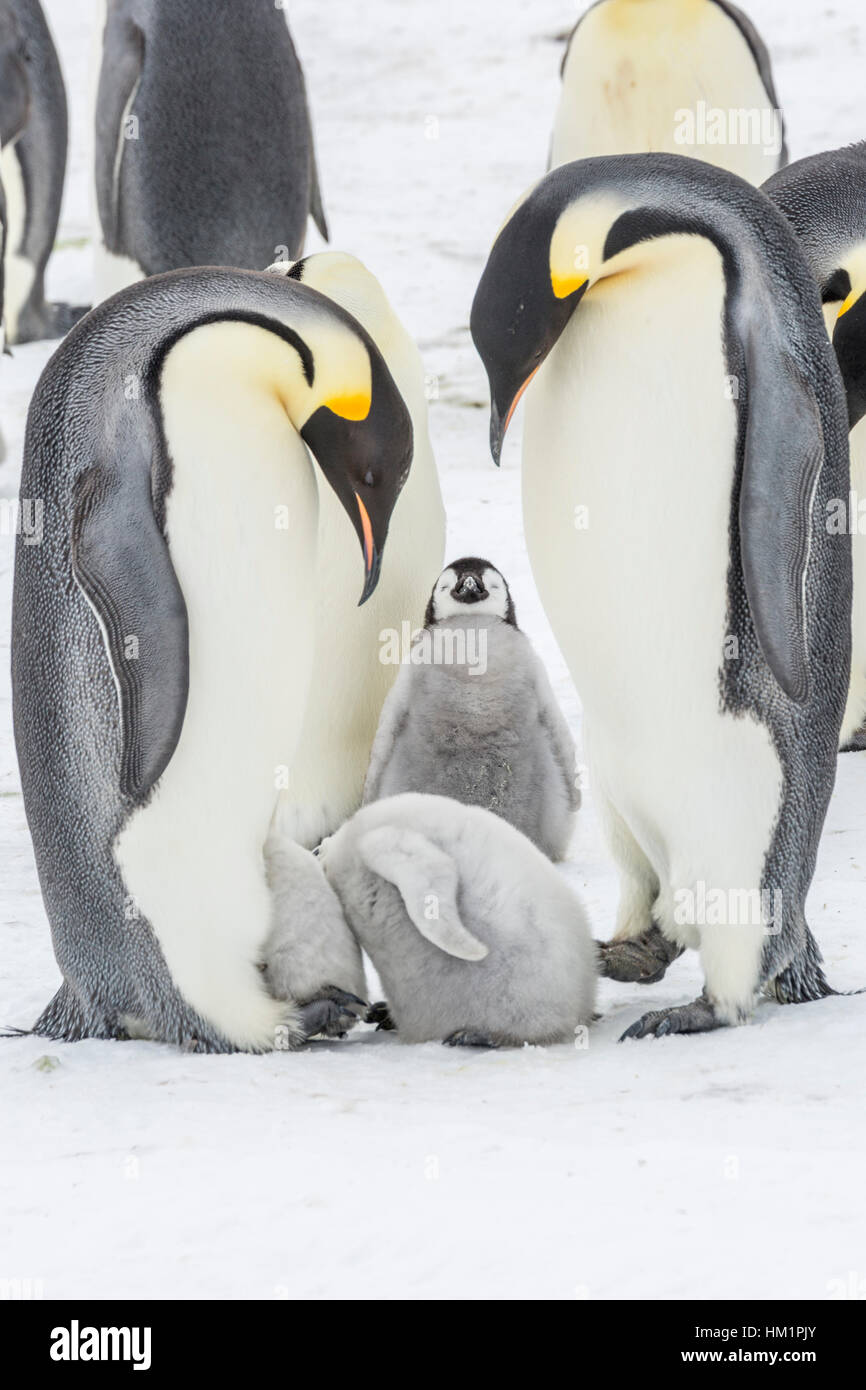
309 942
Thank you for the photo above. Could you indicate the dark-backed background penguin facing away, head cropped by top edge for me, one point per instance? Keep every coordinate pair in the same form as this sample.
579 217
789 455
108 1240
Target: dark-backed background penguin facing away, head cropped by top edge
204 140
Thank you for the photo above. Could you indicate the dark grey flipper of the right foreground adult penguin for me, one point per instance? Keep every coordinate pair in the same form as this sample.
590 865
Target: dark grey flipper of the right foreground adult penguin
785 450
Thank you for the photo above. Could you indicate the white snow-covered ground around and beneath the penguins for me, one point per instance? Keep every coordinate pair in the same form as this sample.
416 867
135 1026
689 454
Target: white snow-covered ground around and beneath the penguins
724 1166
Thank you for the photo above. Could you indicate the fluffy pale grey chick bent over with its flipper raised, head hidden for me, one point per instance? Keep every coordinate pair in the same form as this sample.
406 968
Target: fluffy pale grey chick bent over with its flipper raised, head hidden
477 939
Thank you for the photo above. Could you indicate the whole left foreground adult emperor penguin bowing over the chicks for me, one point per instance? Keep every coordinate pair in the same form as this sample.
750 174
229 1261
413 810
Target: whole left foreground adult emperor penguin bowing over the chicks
165 632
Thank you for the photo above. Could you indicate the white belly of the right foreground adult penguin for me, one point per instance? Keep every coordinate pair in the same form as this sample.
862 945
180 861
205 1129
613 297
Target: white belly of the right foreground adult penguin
629 466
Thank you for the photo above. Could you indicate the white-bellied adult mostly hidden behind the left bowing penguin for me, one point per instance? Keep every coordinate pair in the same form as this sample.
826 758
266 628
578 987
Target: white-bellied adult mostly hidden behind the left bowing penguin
352 650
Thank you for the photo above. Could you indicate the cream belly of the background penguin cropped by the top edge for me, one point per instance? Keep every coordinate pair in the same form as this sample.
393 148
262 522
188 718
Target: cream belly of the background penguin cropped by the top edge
683 77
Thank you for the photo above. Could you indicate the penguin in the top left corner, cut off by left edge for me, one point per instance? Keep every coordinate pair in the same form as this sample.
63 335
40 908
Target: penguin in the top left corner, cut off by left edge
33 169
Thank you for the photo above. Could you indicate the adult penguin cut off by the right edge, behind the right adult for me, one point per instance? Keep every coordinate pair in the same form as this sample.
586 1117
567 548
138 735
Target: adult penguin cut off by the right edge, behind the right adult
825 201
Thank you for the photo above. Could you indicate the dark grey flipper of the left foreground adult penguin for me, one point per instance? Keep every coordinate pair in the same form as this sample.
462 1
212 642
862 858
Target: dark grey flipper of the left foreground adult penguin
122 564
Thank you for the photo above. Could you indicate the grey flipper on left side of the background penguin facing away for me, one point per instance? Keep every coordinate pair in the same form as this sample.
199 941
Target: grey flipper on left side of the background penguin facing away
120 76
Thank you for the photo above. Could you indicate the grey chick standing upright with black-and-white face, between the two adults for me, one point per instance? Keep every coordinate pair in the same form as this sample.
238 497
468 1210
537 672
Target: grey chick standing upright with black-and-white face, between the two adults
473 717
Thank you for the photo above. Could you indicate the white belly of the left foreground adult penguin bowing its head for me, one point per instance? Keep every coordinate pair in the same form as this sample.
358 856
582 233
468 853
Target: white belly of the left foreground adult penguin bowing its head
193 858
